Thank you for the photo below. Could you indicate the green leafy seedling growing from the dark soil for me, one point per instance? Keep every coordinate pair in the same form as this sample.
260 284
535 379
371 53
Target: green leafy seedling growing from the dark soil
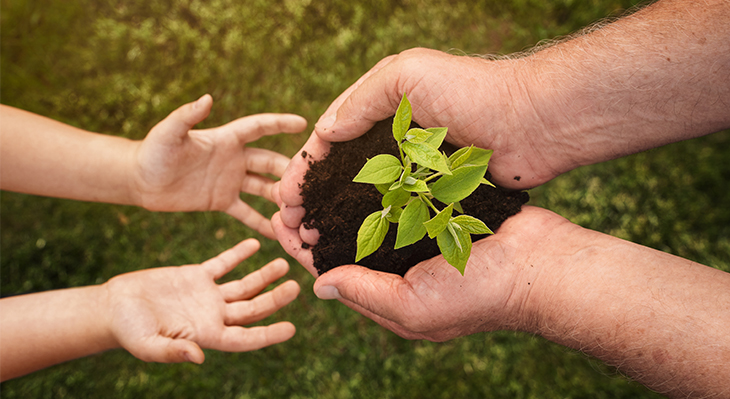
409 185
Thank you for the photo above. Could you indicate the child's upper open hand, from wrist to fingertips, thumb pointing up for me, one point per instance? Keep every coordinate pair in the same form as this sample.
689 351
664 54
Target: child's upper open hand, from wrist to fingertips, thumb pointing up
179 169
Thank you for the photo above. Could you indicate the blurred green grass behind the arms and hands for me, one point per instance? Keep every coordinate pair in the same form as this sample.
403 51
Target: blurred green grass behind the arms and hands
120 66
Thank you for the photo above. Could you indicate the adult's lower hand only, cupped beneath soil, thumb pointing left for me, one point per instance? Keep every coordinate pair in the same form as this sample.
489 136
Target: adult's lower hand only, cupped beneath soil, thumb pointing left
433 300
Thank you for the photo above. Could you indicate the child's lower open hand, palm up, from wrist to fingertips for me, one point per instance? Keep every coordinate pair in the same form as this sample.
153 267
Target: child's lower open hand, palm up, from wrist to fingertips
168 314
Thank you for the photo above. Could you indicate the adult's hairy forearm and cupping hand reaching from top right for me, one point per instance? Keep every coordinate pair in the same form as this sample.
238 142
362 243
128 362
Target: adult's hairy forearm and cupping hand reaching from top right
657 76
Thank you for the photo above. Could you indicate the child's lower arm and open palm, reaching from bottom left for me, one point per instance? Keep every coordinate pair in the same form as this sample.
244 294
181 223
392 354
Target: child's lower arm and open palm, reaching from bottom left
145 313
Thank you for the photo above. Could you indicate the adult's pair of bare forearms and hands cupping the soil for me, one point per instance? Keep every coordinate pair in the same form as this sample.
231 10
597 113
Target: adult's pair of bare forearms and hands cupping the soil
658 76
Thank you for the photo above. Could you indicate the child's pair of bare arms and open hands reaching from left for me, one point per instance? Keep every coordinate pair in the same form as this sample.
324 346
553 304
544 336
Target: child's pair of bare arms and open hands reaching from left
160 315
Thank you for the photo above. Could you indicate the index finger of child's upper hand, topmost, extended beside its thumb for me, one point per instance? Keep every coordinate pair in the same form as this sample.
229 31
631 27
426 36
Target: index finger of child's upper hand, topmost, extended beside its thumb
253 127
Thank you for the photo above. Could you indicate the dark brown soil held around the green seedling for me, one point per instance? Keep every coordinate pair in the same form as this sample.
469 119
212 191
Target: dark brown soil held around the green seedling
336 206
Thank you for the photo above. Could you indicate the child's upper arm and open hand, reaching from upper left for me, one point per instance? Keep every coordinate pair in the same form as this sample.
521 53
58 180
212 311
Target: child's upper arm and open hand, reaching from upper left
173 169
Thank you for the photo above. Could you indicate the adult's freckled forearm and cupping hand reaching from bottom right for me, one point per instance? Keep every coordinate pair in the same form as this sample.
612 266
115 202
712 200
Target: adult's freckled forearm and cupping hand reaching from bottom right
659 318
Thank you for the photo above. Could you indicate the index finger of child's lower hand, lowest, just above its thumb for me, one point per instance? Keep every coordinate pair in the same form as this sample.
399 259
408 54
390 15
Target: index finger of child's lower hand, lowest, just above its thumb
240 339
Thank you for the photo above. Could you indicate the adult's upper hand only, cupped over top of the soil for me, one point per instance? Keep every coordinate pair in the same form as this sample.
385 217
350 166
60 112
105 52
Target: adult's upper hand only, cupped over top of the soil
483 102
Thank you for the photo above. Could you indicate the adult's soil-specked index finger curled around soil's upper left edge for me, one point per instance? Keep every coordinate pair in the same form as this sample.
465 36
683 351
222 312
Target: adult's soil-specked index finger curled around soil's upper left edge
314 149
